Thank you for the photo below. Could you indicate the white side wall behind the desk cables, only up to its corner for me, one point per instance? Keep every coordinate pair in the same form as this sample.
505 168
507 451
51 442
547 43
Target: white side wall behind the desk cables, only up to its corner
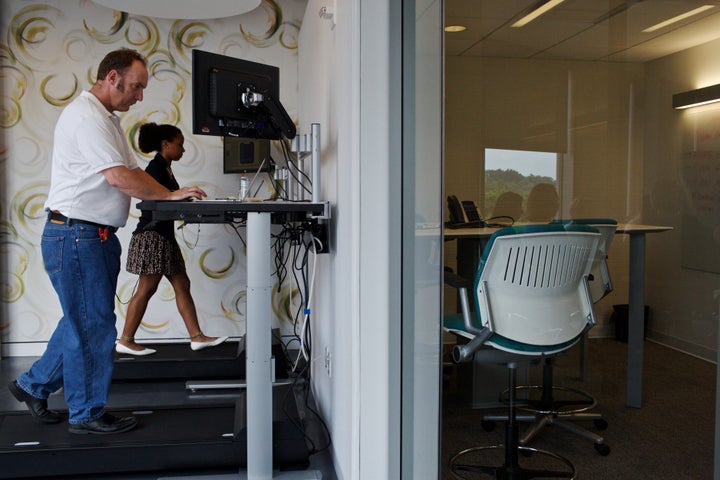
325 66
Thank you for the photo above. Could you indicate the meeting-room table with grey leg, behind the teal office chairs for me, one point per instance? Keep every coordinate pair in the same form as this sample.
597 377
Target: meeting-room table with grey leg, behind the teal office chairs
468 257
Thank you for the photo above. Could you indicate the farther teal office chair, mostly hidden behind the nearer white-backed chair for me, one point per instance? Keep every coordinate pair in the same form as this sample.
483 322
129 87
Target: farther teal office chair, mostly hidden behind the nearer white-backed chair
551 404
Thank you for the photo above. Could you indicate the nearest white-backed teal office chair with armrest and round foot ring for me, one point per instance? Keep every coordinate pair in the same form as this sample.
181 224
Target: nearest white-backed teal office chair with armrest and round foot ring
533 299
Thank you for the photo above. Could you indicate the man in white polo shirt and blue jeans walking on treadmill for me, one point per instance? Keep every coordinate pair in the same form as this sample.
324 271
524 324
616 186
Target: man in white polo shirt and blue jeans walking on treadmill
93 177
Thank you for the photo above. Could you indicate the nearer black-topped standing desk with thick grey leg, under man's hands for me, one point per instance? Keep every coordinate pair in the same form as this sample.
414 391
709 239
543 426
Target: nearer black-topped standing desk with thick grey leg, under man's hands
259 217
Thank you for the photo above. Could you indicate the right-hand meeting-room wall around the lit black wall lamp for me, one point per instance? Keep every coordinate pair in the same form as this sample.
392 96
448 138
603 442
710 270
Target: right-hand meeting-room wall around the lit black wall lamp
683 280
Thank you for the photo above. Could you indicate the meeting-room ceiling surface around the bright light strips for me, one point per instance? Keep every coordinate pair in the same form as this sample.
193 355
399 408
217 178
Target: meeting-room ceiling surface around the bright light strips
597 30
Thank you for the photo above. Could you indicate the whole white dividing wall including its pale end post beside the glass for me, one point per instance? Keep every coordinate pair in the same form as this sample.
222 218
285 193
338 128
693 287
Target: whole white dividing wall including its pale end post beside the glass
359 315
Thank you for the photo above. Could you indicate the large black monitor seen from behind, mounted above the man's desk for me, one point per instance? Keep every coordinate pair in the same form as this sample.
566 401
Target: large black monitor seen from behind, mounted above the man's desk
237 98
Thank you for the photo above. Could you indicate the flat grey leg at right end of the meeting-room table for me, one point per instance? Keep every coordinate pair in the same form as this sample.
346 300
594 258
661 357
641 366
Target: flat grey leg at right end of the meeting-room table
636 320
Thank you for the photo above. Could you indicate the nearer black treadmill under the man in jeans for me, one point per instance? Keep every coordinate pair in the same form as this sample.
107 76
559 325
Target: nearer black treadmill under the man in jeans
208 432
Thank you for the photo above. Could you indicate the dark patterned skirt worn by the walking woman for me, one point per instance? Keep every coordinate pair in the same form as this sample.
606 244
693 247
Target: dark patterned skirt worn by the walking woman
150 254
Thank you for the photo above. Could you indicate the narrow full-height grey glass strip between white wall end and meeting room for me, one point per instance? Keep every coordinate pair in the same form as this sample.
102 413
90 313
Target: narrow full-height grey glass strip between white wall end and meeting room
421 237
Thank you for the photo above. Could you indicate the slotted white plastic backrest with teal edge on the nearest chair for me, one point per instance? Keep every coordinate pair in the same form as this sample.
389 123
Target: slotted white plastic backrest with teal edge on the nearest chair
532 287
